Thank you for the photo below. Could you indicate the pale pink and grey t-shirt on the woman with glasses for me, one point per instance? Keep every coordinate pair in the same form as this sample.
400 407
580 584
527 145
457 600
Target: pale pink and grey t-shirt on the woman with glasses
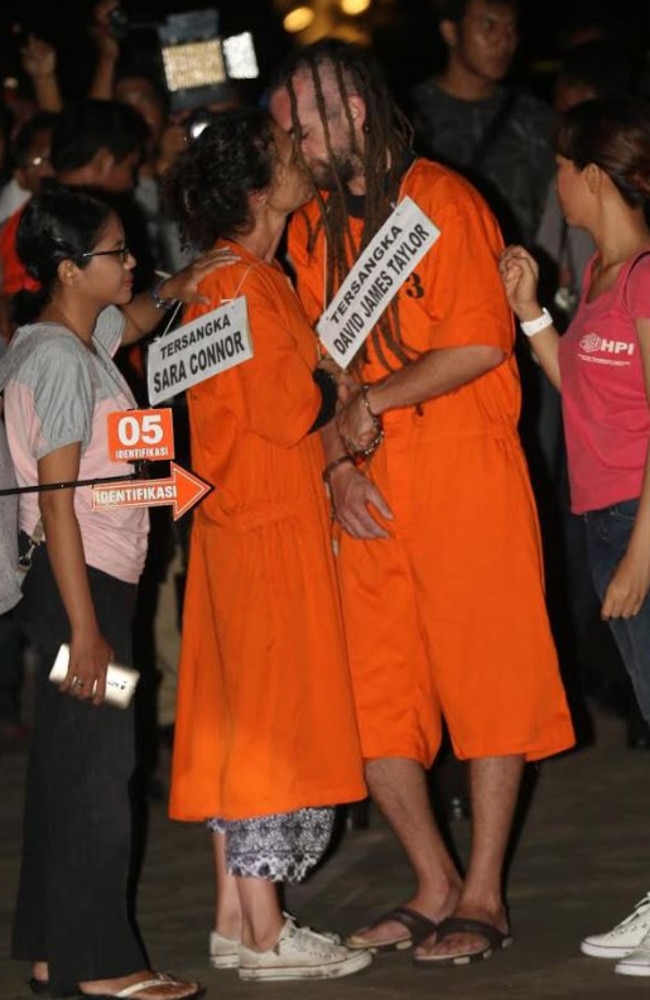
61 394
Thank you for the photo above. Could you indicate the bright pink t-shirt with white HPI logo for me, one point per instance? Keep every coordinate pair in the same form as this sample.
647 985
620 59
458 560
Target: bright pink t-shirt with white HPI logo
604 402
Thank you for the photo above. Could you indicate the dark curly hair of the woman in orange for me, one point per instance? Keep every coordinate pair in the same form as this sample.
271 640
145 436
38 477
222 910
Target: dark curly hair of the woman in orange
207 188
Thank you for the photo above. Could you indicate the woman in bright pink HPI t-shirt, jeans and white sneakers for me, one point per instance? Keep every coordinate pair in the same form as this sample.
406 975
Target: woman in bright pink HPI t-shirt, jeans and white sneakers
601 366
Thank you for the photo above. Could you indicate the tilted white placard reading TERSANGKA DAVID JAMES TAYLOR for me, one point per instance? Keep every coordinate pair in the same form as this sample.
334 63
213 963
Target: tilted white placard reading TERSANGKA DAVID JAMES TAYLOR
375 280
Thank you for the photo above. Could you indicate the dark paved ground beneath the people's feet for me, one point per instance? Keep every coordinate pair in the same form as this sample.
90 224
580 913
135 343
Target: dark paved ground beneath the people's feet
581 862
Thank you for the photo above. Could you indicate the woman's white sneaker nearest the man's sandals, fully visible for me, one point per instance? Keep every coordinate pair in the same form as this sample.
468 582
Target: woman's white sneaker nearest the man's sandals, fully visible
301 953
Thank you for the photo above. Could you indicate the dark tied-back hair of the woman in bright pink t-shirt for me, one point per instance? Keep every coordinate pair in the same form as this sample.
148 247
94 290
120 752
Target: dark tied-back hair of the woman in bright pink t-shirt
613 133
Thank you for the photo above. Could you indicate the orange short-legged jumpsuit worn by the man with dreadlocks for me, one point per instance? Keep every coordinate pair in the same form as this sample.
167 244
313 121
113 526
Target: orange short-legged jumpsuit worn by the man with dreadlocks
448 616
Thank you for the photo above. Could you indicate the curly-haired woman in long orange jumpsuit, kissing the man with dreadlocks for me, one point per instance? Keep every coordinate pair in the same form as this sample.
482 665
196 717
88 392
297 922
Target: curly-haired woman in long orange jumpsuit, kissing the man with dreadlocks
266 737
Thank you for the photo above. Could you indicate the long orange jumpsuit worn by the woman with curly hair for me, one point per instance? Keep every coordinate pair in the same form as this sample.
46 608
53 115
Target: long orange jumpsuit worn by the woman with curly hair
265 720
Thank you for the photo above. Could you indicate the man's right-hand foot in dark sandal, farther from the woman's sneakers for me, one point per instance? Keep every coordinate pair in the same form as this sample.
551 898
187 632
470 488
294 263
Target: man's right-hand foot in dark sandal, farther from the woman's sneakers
463 939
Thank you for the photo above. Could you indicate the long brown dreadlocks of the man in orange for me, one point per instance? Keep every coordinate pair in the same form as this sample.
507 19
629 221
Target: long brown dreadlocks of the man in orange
388 140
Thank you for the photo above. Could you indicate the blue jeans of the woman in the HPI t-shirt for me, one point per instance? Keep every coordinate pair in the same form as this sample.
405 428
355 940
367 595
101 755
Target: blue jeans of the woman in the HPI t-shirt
608 536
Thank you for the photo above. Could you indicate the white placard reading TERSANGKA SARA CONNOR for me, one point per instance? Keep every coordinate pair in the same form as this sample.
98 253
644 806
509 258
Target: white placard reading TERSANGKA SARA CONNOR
208 345
